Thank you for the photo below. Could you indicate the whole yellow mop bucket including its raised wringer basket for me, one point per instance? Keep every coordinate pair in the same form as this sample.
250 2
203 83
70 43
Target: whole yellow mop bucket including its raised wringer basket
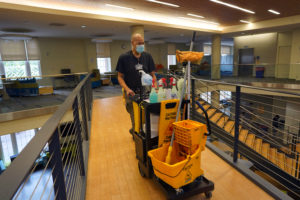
183 169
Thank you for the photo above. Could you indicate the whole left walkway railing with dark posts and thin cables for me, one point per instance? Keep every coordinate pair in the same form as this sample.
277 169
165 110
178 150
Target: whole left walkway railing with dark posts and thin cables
52 165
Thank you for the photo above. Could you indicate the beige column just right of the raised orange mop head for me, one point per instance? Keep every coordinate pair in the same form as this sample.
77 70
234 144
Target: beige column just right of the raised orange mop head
216 57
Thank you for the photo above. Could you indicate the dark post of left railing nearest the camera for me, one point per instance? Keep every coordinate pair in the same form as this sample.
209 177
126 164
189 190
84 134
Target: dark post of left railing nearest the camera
56 163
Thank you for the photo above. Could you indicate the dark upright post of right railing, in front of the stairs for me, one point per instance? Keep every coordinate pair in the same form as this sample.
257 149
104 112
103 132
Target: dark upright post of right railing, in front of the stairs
237 123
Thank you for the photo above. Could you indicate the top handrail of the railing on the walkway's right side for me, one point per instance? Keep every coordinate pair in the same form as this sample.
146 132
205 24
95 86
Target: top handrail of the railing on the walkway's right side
246 86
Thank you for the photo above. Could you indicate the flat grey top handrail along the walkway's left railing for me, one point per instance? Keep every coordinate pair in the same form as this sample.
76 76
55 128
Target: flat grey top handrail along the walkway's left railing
15 174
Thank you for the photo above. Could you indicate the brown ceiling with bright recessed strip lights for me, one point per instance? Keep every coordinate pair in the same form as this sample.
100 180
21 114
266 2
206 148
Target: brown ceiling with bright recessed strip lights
38 21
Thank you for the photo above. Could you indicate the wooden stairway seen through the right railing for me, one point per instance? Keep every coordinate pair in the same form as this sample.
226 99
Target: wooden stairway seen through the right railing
262 147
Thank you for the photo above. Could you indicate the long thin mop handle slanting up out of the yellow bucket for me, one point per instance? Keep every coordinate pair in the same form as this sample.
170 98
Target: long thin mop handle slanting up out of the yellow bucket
168 158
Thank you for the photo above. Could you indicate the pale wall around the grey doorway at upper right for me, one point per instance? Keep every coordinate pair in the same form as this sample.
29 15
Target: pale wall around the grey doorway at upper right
265 46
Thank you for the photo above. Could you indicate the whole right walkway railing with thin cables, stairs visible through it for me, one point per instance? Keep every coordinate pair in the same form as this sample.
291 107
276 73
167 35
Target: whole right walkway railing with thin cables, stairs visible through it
245 121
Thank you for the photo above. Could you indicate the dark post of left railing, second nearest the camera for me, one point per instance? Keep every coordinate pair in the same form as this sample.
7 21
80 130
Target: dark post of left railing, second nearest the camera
78 133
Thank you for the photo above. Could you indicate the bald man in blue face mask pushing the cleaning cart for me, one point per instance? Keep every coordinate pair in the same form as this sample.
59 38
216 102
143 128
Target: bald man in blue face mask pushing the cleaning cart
128 75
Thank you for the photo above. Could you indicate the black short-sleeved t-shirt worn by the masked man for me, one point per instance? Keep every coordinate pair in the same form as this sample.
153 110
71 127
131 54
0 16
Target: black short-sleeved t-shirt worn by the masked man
126 65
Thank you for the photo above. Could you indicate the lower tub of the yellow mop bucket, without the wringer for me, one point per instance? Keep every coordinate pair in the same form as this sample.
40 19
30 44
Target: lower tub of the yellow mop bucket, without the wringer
181 171
